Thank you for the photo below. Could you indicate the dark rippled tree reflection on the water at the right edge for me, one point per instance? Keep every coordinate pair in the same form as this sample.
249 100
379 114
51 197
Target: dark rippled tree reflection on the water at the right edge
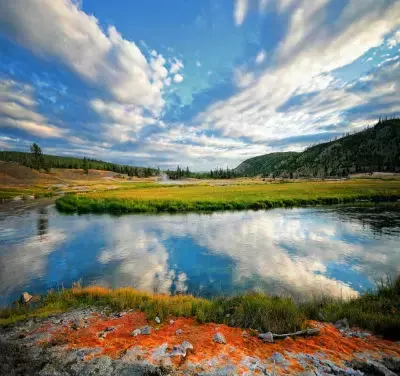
380 218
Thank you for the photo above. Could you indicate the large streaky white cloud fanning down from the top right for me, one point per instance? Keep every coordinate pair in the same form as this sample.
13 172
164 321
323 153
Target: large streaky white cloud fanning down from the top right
304 61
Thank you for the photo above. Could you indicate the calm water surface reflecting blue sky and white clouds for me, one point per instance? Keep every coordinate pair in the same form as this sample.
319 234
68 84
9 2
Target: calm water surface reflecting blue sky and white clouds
336 251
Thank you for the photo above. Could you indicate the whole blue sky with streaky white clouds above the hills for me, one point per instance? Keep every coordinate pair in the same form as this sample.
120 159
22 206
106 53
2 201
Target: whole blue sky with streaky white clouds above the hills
199 83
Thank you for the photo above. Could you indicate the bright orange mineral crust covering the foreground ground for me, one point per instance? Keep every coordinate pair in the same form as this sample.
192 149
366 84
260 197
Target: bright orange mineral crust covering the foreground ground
113 337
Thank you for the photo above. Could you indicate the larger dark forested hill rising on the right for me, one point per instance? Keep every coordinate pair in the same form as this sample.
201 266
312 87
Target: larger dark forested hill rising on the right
373 149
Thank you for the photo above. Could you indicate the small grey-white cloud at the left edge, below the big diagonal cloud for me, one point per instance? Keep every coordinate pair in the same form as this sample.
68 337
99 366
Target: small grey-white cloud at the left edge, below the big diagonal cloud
17 110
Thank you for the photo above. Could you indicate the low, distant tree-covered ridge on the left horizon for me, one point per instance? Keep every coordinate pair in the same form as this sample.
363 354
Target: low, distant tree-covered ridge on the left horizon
53 161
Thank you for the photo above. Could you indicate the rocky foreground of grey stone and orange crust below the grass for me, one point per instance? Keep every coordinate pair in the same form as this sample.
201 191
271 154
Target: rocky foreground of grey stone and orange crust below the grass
89 342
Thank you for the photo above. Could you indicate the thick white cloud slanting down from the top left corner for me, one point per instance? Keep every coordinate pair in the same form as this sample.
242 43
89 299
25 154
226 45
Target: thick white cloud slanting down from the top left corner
60 29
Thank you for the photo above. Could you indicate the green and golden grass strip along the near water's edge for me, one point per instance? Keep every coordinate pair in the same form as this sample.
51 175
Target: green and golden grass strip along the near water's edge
377 311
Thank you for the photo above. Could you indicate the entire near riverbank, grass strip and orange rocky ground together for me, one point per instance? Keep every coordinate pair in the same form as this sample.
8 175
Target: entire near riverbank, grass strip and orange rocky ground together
121 332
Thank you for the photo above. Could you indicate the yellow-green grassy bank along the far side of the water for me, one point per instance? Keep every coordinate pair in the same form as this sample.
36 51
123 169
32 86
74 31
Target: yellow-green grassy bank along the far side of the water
197 198
